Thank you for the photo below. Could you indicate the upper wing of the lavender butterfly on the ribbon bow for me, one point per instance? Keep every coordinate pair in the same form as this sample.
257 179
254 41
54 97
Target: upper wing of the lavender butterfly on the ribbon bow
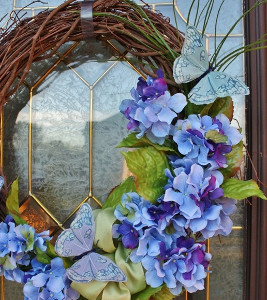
79 237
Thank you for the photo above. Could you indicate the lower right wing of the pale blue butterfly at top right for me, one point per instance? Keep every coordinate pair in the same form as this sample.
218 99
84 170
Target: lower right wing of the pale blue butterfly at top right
216 85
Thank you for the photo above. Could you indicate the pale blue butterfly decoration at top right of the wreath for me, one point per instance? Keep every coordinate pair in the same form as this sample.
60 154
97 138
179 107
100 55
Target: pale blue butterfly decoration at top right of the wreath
194 63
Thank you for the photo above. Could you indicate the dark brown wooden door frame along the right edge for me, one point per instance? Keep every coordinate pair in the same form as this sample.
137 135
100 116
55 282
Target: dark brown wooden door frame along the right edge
255 243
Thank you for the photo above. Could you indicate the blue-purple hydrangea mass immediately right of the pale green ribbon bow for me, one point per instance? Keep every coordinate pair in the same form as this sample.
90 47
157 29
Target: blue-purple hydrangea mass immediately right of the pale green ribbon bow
158 236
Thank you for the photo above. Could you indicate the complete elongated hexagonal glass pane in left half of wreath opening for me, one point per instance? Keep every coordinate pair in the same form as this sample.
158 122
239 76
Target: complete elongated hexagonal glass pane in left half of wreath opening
60 143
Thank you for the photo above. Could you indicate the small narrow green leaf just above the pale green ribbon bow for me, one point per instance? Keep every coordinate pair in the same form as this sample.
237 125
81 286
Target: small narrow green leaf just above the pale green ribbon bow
114 198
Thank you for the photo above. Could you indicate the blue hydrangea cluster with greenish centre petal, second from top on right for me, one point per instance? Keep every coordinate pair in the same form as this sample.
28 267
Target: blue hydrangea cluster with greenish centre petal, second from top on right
196 139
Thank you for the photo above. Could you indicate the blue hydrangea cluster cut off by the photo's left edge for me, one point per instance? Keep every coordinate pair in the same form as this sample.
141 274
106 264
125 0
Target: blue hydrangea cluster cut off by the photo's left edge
16 243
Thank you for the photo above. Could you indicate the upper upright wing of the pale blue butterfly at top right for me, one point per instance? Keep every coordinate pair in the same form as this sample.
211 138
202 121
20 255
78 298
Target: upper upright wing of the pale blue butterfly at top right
194 60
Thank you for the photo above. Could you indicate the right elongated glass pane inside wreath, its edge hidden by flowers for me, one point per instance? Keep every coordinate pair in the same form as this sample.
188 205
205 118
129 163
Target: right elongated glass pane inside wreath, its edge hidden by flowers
109 127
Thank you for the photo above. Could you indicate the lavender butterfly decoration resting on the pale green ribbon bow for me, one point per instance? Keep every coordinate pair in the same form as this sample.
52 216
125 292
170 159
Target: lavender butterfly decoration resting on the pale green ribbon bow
79 240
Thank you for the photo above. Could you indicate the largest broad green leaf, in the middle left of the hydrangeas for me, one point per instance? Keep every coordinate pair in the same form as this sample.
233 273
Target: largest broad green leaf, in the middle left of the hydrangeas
148 166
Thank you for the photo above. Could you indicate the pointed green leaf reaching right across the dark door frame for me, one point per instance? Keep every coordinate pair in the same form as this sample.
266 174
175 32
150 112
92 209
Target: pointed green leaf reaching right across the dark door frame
239 189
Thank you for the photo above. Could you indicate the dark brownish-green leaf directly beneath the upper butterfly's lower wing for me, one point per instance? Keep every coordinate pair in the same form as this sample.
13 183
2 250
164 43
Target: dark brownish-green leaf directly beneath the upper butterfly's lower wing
219 106
